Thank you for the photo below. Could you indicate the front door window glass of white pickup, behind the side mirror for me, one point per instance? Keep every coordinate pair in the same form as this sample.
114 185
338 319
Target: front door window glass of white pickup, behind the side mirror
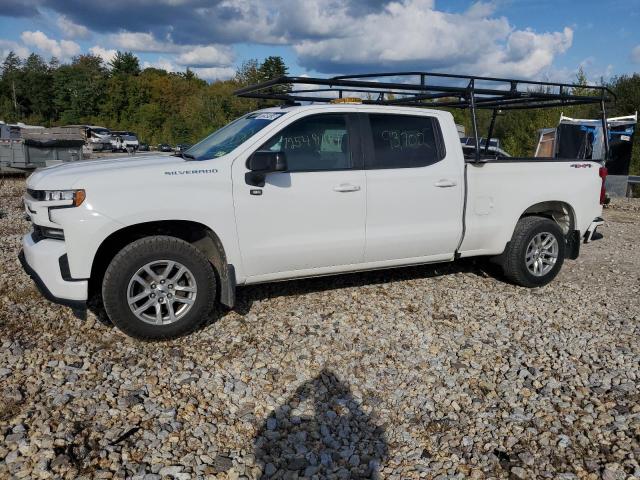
317 142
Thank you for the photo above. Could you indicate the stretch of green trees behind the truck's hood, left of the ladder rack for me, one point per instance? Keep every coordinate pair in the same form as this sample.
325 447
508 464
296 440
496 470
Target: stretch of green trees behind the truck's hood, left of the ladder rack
159 106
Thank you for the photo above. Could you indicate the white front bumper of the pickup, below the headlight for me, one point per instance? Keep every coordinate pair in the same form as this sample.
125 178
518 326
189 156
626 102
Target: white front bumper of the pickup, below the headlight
41 261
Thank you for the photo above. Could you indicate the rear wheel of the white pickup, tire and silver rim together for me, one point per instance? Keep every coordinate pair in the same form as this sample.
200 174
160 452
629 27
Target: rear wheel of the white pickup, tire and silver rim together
536 252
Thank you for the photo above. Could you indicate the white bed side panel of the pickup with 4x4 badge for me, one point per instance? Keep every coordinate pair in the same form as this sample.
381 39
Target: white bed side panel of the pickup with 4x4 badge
501 190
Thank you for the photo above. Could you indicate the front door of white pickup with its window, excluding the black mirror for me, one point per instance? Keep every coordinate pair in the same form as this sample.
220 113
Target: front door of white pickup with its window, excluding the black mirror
312 216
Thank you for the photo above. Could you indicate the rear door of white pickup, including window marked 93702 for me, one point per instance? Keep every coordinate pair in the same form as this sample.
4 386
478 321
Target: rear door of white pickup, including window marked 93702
414 190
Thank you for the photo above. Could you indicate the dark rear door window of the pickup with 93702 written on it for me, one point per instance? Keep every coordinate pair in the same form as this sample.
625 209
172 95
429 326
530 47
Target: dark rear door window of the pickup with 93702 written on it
403 141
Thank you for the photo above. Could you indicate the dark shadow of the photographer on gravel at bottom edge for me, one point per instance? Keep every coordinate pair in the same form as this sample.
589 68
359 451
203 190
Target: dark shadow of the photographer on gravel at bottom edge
322 431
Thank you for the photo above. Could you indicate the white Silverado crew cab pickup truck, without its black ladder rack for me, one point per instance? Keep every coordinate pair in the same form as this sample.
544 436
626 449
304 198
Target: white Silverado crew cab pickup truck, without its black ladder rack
290 192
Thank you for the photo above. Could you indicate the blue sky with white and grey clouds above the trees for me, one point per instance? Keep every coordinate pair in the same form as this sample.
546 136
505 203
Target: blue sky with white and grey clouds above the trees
541 39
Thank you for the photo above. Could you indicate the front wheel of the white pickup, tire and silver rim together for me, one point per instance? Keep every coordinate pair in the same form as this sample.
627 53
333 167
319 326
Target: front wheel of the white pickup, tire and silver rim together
159 287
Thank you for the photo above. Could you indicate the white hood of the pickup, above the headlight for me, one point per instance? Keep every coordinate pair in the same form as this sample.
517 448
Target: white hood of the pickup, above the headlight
68 175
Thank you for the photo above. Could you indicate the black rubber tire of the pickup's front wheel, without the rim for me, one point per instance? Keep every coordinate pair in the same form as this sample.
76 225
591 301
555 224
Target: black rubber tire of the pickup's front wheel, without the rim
139 253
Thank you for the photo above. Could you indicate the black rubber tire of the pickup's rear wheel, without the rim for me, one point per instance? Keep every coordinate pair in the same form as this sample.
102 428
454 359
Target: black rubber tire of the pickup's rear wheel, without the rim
513 260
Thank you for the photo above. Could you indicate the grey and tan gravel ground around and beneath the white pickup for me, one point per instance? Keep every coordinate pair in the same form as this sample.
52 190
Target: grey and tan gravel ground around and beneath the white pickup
431 372
